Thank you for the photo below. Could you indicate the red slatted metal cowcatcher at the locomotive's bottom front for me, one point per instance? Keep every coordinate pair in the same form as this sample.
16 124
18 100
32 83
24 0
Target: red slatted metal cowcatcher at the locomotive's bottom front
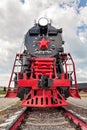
44 98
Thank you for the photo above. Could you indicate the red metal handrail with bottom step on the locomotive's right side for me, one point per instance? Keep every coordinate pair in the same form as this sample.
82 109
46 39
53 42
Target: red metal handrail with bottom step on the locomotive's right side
69 63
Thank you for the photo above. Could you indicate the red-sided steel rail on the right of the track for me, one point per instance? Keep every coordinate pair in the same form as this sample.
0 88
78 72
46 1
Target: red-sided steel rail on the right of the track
76 120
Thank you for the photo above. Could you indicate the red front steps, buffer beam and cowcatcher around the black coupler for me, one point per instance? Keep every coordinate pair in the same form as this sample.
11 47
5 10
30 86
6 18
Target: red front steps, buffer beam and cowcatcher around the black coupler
39 97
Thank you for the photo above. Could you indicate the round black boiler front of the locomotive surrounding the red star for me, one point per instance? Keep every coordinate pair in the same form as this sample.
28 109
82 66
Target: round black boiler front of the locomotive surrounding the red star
36 34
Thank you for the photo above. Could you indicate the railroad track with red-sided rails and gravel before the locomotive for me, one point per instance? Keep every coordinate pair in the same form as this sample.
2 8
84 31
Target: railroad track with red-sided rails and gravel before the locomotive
45 119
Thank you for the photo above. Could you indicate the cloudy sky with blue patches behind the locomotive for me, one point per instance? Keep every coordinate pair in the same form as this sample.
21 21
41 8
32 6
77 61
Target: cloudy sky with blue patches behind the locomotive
17 16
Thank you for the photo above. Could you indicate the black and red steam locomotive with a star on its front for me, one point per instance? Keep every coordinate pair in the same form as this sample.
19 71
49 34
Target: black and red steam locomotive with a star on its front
46 75
